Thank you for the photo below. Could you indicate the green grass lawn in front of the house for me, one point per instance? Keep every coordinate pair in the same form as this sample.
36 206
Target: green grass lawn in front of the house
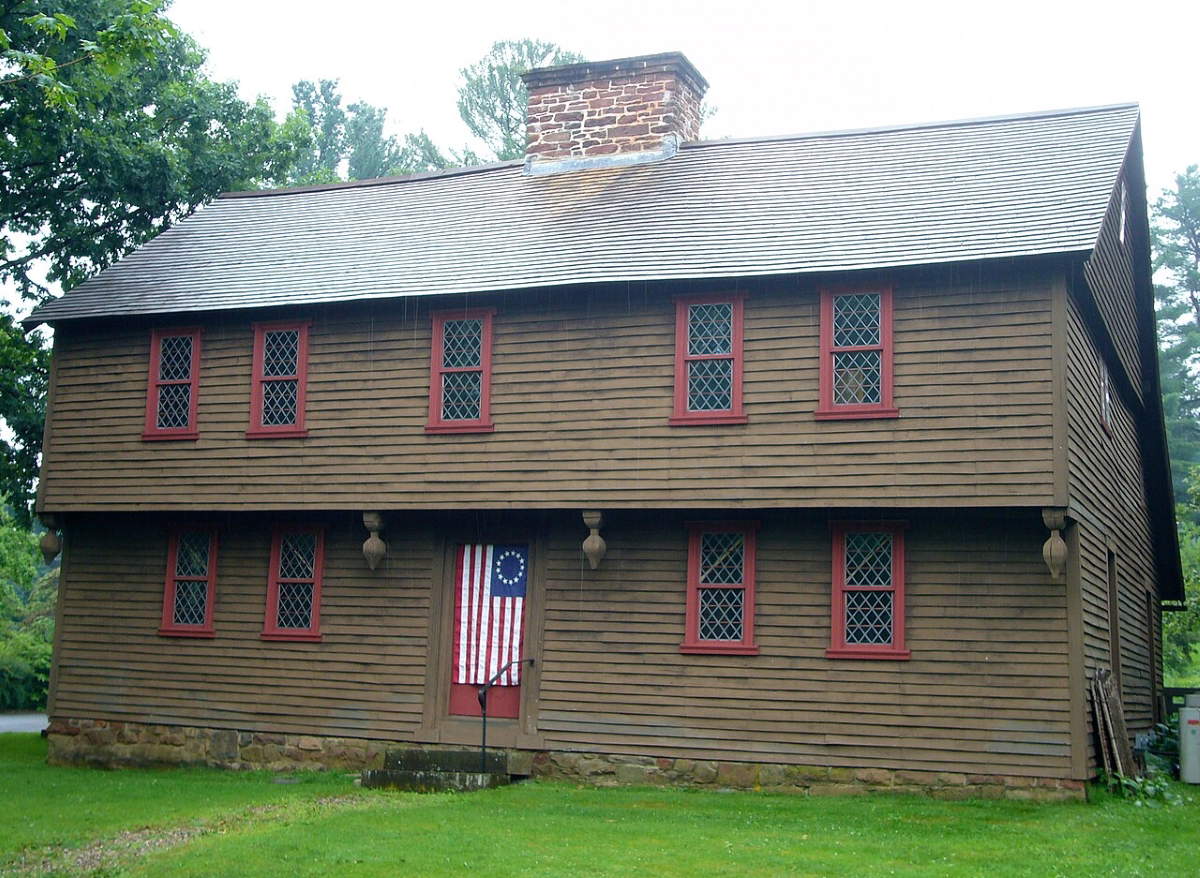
213 823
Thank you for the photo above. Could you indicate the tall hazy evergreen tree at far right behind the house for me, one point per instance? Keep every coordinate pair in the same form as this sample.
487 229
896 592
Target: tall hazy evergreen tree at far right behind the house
1177 240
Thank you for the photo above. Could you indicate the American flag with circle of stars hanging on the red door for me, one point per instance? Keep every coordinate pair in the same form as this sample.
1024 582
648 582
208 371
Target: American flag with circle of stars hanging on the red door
489 612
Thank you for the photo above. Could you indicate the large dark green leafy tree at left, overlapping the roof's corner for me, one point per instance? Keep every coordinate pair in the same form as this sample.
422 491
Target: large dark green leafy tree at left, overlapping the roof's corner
111 134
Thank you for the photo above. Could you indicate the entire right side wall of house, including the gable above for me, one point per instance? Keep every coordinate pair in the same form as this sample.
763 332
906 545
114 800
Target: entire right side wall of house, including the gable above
1107 479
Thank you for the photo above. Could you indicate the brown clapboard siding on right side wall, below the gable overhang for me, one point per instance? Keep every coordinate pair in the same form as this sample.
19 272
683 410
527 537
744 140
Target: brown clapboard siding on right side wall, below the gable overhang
1108 501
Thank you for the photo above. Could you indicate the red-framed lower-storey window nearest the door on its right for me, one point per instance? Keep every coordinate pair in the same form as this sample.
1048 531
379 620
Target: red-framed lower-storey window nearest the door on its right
719 616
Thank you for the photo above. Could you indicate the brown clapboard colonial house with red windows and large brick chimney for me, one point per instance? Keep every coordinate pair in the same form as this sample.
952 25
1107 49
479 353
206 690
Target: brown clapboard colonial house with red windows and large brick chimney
827 461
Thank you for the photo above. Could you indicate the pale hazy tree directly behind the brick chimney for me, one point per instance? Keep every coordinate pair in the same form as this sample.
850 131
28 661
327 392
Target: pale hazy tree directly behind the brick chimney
493 98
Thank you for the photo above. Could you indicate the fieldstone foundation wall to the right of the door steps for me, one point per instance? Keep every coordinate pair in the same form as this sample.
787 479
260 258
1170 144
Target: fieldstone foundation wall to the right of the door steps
617 771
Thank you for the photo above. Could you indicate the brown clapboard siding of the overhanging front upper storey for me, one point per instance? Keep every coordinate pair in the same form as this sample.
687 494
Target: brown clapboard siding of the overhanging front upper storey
583 392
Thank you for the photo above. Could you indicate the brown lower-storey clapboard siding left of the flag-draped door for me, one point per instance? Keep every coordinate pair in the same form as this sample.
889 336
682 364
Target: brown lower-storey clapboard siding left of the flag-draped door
367 679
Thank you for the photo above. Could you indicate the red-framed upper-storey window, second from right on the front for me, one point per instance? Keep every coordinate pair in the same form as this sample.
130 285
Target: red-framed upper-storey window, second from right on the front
709 360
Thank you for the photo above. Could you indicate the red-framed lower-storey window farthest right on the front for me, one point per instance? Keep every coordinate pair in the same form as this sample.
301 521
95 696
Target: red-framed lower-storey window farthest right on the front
868 591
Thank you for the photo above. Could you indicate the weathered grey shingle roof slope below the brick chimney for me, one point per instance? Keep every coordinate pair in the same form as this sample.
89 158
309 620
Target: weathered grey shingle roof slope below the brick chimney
842 201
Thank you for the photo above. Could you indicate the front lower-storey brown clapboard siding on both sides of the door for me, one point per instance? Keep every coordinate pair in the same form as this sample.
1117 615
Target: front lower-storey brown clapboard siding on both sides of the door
985 693
